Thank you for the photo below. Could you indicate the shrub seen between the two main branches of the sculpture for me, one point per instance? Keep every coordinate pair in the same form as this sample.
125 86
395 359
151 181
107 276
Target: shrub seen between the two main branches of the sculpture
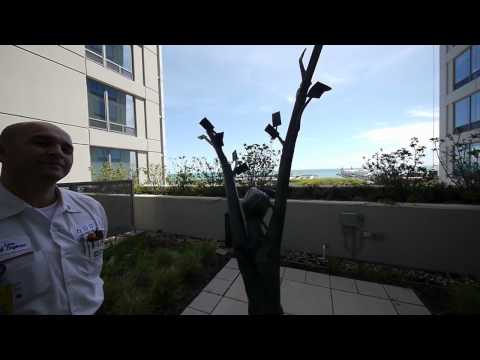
261 160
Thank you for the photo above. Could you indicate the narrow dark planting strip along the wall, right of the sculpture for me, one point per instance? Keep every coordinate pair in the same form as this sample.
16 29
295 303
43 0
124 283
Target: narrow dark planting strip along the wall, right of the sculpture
442 293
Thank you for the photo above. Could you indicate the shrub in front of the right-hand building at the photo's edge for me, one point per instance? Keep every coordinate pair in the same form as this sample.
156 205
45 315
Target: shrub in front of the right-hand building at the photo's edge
463 156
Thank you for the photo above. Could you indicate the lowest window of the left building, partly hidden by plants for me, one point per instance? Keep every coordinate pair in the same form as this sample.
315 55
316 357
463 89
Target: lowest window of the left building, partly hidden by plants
126 160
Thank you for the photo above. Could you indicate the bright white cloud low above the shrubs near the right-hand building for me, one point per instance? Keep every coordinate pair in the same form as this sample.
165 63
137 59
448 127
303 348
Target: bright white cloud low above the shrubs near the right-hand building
393 137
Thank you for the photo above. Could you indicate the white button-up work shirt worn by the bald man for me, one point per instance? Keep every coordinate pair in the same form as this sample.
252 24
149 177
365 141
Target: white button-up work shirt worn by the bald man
48 265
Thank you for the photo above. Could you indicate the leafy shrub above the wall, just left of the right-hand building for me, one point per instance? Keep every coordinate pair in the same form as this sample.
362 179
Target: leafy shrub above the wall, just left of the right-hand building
400 168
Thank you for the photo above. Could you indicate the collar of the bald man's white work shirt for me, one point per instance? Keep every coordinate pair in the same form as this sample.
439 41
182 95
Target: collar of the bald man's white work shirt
10 204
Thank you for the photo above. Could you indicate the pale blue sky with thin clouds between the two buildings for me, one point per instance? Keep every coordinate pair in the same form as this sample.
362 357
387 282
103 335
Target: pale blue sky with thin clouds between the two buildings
381 97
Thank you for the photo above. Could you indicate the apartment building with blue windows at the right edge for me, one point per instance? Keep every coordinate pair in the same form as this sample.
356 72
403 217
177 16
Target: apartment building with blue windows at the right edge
459 96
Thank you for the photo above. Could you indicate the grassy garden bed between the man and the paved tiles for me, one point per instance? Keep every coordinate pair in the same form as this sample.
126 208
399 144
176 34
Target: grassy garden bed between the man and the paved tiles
157 273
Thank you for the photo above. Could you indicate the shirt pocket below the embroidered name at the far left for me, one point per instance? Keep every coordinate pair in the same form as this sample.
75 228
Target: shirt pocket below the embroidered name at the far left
28 276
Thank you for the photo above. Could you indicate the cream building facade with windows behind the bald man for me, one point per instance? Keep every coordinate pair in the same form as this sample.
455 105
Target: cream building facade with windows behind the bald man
109 98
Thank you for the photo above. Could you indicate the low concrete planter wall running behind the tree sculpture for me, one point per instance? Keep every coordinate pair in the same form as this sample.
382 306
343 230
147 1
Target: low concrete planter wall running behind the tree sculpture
424 236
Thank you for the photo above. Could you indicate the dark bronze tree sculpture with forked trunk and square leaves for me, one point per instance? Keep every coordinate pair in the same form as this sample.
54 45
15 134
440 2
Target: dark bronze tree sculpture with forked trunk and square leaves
256 245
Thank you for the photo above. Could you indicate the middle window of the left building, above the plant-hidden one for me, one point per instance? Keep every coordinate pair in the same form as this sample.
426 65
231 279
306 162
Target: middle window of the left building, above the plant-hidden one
110 109
